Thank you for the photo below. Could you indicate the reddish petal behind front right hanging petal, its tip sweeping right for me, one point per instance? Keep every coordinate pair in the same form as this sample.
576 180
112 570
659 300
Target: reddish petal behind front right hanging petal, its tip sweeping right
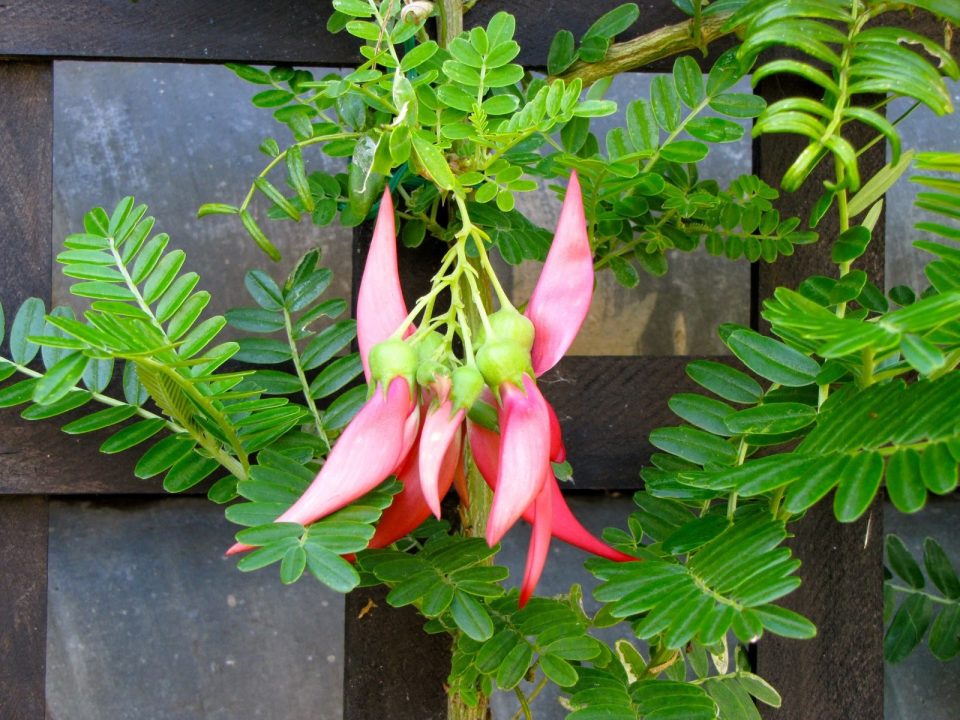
485 449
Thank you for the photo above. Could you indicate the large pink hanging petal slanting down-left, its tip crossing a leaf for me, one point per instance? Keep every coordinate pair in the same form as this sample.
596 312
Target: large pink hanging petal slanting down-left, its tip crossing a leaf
372 447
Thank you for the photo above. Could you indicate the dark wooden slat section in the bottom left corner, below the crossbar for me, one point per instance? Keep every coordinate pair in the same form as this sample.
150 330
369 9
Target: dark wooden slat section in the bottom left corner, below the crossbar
23 607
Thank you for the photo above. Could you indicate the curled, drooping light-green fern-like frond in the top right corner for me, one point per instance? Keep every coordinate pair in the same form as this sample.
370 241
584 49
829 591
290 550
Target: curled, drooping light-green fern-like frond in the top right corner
846 55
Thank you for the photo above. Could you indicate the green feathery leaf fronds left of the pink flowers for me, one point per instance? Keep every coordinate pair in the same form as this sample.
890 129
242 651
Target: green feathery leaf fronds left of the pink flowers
146 314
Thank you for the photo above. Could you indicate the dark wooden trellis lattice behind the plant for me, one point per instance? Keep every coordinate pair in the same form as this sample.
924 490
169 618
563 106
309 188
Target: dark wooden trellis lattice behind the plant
392 670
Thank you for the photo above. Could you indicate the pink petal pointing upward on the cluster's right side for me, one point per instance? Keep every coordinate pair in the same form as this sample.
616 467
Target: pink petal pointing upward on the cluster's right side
561 298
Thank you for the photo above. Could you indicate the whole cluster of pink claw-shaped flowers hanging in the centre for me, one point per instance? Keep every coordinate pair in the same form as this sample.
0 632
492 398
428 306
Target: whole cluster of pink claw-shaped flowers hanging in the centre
416 431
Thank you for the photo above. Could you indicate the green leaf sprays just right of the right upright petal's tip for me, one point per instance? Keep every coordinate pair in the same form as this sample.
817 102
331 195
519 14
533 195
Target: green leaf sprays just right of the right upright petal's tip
644 197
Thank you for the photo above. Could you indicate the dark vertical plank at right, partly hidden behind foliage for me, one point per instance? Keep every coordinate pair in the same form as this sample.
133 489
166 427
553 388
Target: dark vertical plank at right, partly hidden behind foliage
838 674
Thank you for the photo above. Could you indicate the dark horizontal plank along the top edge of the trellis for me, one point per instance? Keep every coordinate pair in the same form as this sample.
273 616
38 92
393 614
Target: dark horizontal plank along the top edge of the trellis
281 31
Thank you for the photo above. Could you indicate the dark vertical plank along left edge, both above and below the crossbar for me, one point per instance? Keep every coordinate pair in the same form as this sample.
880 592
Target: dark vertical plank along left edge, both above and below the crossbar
26 136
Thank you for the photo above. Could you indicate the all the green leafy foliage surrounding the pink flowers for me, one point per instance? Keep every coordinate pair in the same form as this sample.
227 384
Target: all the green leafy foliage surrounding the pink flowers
752 451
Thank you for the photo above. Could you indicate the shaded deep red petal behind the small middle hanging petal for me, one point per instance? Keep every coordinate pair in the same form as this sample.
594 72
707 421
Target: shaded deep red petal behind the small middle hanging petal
409 509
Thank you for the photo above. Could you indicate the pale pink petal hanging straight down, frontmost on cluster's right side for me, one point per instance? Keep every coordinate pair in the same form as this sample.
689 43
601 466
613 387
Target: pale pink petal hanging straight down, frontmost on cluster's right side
524 456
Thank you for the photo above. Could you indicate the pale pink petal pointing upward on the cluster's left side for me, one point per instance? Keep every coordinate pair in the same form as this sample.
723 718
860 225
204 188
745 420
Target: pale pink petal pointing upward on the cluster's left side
380 305
